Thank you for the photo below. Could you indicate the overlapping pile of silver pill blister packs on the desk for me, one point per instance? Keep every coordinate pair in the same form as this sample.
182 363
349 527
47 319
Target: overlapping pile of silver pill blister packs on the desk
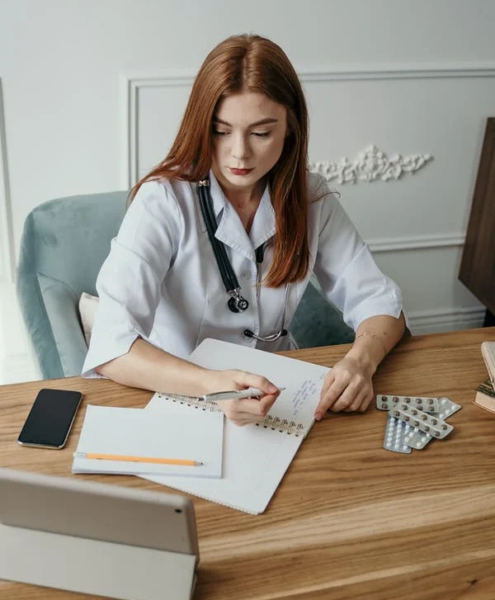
414 421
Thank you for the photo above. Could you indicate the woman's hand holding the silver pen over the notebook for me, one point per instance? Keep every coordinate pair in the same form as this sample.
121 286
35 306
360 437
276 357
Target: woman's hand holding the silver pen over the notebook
245 410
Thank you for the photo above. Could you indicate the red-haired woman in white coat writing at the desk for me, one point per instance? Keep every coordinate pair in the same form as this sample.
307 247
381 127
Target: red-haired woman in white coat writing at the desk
166 284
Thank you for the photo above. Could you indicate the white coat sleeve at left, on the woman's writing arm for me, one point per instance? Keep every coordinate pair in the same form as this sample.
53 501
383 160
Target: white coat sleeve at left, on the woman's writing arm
130 280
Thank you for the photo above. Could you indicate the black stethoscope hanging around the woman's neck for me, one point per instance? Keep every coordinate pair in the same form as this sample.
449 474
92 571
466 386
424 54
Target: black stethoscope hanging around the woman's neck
236 303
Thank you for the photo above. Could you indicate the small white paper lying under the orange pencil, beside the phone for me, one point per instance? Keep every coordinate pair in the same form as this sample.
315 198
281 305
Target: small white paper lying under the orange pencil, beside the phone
176 432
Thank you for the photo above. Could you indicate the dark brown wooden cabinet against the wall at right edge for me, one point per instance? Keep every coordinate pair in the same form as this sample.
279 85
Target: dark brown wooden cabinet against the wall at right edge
477 270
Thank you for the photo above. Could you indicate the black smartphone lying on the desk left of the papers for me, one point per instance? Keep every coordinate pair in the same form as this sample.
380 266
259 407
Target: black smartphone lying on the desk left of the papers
50 419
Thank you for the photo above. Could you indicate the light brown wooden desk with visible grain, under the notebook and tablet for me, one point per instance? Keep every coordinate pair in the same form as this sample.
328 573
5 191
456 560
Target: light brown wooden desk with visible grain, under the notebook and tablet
350 520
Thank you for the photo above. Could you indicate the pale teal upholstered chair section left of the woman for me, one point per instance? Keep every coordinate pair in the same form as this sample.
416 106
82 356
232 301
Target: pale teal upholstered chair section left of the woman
63 246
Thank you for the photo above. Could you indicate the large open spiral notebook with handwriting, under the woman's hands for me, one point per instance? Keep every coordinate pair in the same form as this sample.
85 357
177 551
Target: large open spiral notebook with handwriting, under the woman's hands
255 457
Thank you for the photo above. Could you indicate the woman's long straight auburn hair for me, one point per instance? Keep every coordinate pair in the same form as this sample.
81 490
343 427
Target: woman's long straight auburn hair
250 63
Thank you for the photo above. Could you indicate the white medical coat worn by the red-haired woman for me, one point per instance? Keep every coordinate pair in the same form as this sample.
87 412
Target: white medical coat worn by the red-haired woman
161 281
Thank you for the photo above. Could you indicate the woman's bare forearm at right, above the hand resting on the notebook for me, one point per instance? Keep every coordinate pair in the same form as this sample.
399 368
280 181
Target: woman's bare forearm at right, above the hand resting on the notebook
375 337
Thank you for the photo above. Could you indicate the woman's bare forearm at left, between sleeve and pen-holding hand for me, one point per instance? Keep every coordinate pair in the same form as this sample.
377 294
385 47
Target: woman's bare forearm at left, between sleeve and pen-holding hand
146 366
